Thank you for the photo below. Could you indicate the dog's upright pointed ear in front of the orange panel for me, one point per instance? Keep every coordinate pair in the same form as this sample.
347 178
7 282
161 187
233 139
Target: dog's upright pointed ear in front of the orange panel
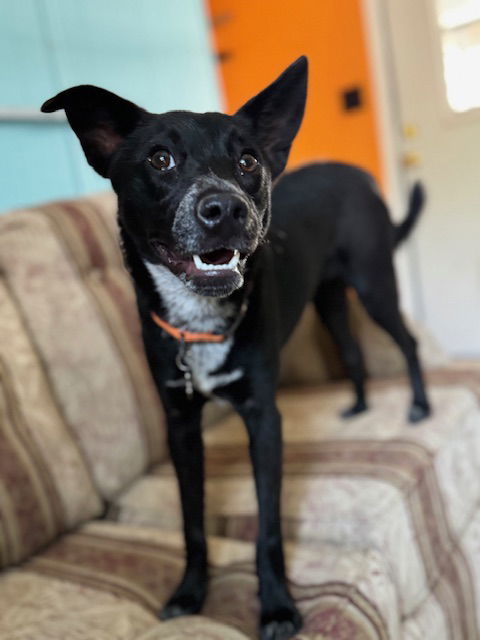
276 113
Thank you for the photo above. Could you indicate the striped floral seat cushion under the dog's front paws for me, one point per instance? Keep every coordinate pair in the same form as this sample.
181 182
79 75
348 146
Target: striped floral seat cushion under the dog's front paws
342 595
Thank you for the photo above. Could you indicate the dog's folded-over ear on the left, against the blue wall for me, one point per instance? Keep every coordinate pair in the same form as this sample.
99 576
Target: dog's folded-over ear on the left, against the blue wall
100 119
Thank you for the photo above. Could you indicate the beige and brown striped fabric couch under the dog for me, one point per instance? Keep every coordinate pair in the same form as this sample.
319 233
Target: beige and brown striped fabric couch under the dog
381 519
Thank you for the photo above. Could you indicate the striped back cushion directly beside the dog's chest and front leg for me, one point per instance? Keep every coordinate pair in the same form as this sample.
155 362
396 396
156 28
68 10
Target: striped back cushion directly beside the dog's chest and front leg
63 268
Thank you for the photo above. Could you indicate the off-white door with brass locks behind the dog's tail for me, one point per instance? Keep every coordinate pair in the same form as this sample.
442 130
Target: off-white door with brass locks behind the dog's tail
446 151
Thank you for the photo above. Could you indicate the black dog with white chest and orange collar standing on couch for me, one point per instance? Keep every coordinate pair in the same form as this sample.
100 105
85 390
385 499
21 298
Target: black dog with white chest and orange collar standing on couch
220 285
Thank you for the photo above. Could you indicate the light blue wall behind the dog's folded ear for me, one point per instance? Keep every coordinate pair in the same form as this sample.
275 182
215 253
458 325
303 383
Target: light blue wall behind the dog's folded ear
153 52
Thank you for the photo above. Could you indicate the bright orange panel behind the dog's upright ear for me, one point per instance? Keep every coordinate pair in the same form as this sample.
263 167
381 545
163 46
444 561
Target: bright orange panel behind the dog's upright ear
255 41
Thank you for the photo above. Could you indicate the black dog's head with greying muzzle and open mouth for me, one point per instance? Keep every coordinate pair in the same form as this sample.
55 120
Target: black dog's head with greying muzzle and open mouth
193 189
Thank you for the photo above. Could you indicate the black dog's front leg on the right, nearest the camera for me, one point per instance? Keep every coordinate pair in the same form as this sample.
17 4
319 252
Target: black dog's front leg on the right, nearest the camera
280 619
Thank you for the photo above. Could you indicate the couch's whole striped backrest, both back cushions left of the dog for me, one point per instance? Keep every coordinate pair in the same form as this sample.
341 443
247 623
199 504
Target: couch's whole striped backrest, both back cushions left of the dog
80 417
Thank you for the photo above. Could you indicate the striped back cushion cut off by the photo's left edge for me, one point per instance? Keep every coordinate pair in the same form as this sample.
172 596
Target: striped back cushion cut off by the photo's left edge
45 485
